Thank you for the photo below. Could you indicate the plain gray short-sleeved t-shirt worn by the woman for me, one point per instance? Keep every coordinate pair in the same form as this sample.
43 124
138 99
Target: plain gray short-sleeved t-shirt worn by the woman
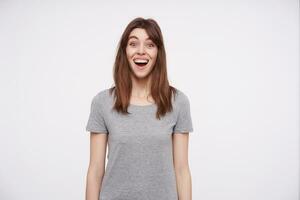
140 158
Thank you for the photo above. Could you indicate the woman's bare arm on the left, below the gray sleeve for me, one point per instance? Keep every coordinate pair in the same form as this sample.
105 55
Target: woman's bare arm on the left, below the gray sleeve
96 167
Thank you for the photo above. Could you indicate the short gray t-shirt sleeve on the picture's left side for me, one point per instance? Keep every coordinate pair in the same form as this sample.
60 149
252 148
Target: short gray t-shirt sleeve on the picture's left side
96 121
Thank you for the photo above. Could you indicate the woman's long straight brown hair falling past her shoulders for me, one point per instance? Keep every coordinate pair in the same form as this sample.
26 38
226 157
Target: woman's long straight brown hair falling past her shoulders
161 91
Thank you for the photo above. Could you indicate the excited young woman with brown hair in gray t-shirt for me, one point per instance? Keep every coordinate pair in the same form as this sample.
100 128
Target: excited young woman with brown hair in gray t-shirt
144 122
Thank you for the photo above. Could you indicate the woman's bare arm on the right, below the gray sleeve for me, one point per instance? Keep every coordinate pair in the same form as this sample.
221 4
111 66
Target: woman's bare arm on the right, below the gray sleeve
182 171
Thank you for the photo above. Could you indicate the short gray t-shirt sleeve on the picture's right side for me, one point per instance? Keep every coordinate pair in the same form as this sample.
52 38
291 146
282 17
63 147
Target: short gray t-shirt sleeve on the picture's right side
184 120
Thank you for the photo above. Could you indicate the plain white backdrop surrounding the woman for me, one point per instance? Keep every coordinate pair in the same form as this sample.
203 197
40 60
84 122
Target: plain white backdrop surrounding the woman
238 62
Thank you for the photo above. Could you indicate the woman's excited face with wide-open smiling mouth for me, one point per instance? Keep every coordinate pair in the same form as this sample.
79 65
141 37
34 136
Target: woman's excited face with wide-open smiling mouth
141 53
